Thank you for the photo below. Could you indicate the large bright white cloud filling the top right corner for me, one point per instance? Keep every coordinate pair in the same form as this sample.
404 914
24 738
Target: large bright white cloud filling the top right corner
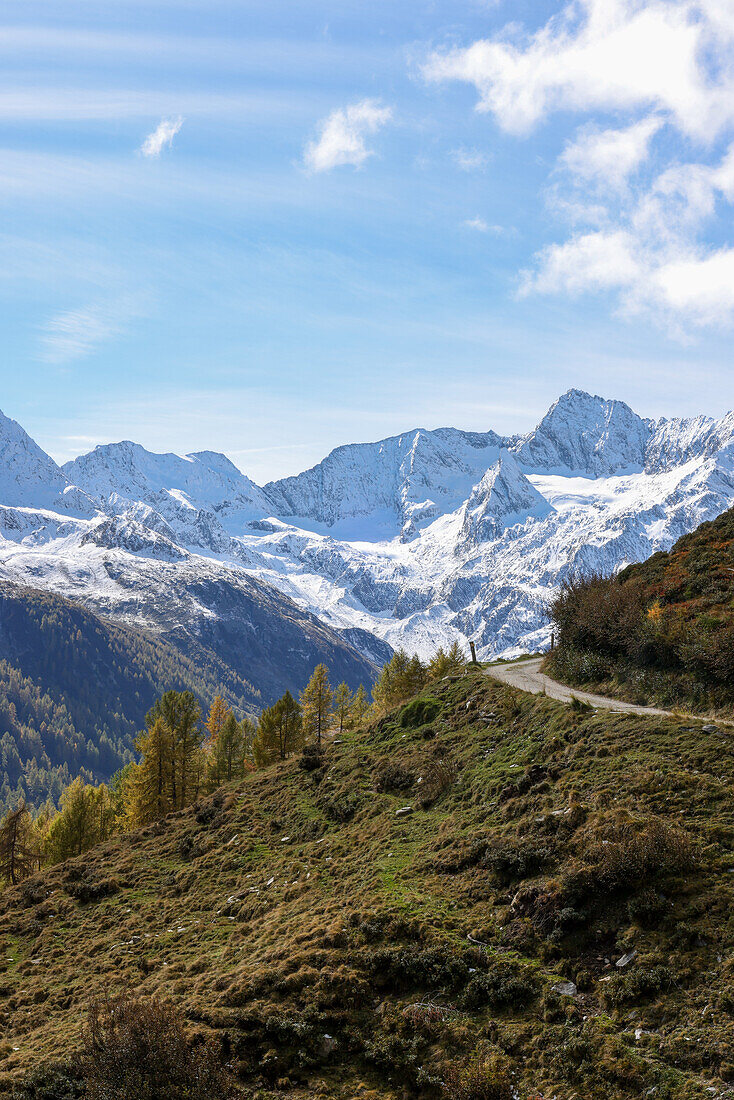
669 56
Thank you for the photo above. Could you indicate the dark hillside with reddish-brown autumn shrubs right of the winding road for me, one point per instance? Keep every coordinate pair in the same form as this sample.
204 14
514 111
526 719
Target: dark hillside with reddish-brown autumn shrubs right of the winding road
662 632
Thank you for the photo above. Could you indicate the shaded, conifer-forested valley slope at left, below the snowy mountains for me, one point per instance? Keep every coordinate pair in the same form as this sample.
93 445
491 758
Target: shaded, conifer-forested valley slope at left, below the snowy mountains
75 690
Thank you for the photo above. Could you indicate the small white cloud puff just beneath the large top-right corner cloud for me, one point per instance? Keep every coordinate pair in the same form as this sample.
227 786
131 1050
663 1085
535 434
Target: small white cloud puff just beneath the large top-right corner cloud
607 158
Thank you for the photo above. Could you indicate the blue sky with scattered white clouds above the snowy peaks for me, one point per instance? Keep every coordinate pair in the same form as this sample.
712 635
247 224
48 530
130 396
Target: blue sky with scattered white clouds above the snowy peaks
269 228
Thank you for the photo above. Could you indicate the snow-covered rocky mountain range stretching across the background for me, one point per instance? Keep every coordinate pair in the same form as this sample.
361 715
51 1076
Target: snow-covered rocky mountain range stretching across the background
414 541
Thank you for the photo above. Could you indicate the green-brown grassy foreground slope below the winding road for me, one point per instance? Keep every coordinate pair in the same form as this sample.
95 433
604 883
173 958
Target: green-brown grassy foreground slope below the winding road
560 895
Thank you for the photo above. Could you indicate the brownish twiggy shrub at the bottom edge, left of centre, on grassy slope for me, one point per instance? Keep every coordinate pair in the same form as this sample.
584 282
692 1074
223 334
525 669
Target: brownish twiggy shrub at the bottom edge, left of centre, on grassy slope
138 1048
